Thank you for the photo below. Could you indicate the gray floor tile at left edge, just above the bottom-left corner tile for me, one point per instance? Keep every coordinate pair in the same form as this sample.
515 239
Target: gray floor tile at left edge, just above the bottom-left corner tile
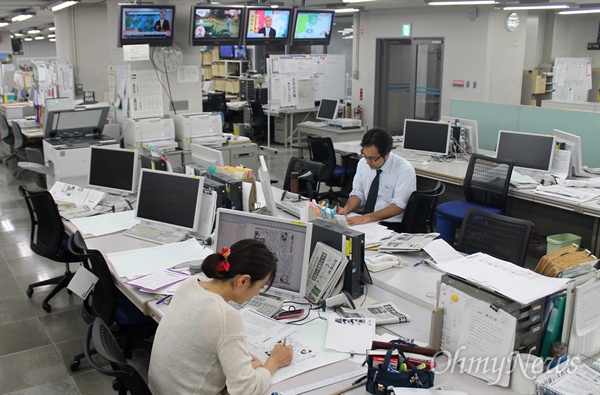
22 335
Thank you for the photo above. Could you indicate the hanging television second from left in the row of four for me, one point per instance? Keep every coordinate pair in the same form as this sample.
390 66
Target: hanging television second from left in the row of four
216 25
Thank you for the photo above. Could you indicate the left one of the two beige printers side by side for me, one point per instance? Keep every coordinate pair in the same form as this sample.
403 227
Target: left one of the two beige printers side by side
153 132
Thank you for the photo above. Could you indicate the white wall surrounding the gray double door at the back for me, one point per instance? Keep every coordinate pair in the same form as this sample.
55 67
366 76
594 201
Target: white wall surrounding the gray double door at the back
481 50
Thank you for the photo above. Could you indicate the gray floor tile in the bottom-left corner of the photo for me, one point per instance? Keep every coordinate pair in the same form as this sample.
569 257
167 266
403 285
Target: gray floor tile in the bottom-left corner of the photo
31 368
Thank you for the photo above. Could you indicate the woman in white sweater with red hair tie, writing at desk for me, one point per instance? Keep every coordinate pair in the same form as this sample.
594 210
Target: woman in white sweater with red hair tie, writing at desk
200 344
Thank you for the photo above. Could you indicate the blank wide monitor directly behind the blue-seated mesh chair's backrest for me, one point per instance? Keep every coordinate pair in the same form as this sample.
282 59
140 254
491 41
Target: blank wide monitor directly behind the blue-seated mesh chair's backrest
528 150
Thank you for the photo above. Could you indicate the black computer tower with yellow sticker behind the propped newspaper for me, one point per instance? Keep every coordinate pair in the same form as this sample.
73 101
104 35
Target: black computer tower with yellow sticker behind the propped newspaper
342 238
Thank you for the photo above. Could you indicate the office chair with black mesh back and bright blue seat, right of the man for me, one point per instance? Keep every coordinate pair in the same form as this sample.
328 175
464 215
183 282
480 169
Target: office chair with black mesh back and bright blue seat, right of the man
485 187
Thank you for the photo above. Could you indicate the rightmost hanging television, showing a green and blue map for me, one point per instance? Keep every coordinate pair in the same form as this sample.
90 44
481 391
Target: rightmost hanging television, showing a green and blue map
312 27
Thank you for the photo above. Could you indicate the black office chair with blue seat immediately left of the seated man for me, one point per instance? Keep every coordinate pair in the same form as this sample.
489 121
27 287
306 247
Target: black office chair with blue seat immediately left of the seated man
333 175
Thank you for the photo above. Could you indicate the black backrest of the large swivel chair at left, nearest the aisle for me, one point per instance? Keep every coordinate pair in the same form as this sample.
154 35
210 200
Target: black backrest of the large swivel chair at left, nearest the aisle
47 229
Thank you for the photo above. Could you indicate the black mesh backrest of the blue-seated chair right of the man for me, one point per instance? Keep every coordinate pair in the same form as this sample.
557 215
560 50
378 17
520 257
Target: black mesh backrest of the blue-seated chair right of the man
487 181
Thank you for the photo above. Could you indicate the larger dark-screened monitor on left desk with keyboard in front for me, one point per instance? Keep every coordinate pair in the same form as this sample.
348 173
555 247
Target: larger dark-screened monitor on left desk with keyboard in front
169 199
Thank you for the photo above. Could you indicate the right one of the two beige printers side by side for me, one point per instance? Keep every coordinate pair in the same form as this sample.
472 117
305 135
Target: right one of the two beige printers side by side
203 128
